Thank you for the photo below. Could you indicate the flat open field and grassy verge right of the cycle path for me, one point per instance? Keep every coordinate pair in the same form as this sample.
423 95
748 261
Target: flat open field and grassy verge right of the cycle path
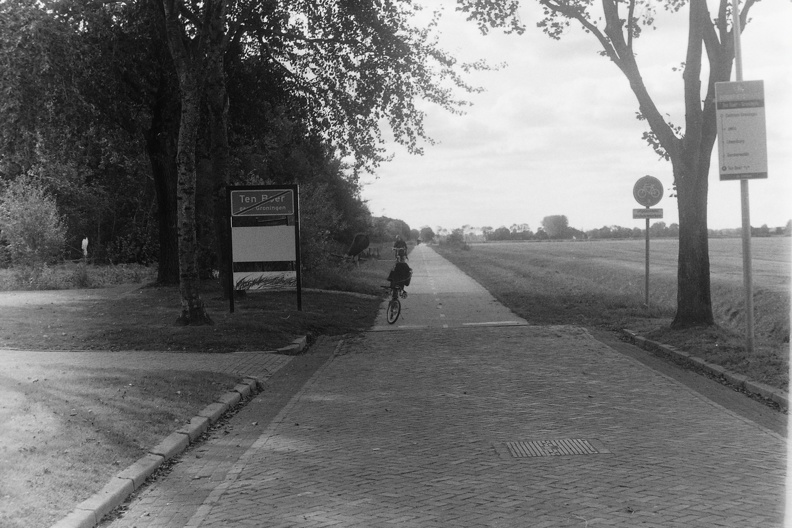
601 283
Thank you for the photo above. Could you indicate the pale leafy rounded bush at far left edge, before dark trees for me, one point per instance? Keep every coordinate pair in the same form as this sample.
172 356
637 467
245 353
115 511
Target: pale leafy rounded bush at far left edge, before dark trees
30 225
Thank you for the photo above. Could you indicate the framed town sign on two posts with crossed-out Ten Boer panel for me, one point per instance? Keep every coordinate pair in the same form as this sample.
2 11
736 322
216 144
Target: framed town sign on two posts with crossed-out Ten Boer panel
265 239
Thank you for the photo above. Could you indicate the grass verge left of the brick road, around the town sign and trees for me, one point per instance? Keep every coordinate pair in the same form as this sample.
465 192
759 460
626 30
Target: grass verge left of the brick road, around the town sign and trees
68 428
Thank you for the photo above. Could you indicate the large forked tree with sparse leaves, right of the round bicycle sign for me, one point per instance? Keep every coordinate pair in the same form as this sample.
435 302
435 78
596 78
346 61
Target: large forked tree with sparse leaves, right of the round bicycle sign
616 25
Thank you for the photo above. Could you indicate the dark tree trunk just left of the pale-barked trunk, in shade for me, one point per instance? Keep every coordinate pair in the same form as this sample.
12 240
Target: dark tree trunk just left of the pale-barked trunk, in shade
161 150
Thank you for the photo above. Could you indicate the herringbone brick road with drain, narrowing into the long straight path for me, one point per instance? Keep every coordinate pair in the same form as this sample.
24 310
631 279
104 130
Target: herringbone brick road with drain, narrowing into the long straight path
409 426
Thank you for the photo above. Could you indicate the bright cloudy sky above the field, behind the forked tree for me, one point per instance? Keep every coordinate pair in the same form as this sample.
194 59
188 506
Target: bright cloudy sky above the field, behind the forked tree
555 131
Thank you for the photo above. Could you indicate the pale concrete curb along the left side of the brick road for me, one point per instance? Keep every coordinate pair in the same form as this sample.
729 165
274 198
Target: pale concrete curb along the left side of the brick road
89 513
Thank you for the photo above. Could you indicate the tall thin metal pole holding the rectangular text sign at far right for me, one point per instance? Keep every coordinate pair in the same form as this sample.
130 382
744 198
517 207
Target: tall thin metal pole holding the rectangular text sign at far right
745 203
